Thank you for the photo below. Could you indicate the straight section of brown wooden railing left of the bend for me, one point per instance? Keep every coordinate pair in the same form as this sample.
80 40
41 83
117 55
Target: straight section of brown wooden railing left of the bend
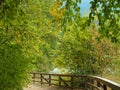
65 80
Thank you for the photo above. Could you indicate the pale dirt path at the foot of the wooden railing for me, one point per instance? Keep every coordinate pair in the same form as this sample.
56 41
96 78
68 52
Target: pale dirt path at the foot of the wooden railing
37 87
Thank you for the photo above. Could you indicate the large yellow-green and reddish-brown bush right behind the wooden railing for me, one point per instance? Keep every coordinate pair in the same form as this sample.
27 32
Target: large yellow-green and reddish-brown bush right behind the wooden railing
82 52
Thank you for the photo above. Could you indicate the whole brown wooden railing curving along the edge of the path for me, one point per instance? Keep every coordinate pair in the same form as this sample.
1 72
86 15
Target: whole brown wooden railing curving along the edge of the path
75 81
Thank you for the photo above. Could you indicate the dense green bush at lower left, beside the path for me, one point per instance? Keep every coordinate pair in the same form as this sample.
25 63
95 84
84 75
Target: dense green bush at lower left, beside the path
13 68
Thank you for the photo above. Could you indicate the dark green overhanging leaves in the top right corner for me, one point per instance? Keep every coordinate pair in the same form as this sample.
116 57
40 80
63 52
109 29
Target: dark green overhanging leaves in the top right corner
105 10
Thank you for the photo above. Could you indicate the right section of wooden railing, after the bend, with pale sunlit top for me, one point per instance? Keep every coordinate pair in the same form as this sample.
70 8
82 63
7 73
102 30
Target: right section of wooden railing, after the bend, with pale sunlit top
102 83
